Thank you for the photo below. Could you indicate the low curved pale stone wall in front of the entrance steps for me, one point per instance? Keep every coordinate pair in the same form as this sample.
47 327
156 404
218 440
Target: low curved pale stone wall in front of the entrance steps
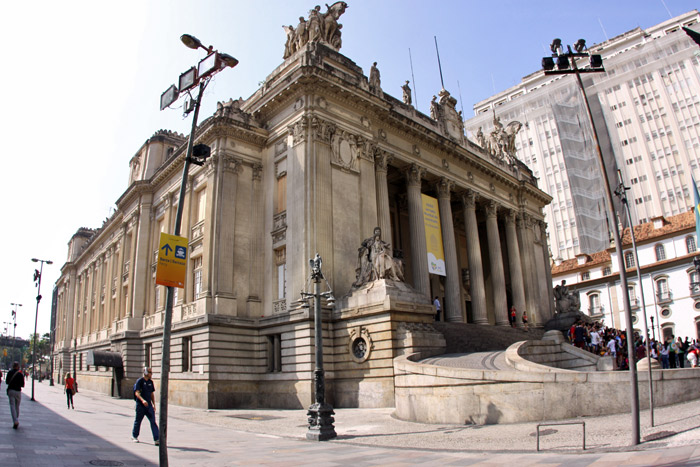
437 394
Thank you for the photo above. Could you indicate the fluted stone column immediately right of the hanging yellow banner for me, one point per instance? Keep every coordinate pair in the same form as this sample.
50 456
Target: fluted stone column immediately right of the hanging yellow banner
453 301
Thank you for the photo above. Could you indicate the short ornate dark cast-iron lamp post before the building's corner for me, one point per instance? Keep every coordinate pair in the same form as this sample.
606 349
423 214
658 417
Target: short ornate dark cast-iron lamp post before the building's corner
320 413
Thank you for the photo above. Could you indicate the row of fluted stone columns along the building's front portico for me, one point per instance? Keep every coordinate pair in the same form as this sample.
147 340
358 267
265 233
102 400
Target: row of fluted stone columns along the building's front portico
526 292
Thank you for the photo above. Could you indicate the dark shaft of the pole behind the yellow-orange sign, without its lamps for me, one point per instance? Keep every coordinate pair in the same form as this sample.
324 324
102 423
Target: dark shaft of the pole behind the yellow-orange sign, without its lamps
167 324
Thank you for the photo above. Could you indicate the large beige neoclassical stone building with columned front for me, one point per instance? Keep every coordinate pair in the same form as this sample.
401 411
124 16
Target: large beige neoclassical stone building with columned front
311 163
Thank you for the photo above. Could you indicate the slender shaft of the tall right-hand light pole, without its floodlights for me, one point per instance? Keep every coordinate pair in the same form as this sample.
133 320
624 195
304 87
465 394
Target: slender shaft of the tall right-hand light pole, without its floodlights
634 390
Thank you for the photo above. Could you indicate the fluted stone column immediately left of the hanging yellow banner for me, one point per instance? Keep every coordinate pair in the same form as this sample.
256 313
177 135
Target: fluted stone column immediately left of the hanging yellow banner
419 255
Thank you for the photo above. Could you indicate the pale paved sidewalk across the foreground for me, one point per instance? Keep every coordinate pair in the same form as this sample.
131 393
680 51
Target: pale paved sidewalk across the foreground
98 432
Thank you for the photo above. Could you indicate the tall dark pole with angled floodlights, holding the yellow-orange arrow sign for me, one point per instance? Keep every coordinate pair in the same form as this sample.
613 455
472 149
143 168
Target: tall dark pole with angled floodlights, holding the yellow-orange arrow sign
202 74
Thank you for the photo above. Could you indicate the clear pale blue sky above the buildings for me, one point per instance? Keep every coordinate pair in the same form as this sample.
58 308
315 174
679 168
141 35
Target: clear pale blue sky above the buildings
82 82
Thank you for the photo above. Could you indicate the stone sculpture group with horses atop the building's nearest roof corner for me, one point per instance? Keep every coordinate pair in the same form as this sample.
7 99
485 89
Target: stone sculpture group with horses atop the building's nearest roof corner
321 27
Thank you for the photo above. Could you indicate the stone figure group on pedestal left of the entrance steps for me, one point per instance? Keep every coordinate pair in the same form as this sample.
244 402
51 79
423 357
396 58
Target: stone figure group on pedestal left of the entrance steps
375 261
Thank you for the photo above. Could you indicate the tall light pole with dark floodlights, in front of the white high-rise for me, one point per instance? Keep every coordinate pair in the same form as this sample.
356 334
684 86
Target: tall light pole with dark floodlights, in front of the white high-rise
563 61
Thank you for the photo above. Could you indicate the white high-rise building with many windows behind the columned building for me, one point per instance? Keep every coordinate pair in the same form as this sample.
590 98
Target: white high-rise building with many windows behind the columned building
646 106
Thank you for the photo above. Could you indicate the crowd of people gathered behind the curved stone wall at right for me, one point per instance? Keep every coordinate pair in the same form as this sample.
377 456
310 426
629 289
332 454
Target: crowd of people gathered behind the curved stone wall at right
604 341
